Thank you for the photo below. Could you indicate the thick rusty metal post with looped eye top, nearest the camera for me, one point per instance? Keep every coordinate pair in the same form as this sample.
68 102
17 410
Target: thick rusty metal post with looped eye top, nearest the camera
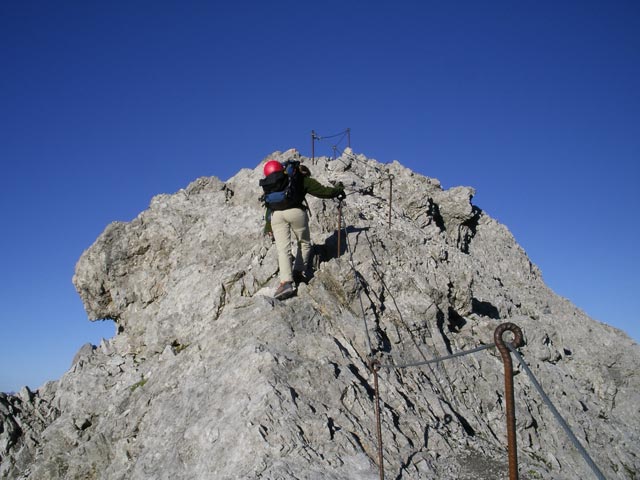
512 447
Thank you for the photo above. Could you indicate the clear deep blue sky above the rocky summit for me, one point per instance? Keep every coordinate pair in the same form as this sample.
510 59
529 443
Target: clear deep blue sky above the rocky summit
535 104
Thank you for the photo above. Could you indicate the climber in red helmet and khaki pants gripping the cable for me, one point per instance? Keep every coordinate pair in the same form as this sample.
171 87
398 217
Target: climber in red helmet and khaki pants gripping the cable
285 187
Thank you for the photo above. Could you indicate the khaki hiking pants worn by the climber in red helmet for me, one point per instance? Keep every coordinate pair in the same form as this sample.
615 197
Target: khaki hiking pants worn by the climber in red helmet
283 222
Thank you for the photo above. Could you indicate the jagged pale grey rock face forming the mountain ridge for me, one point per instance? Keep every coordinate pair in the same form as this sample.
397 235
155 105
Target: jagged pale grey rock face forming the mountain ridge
209 377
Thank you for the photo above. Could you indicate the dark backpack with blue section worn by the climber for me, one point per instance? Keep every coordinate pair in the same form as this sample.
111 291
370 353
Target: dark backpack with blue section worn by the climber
284 189
